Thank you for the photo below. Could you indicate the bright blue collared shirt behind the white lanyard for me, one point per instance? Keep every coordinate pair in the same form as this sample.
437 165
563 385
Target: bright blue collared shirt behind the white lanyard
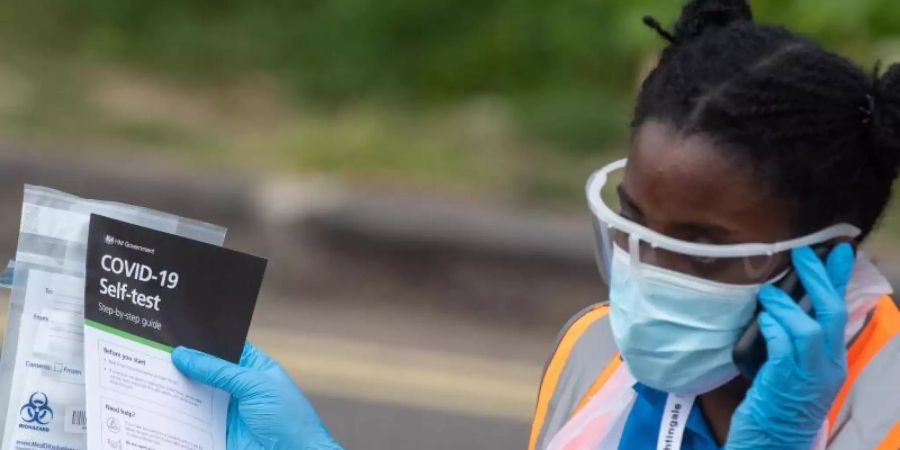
642 426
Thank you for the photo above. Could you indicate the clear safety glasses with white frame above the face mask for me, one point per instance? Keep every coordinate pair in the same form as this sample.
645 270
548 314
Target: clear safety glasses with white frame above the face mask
745 263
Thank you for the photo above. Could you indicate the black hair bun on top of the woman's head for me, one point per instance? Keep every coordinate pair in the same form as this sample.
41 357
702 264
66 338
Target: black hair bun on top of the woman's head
699 16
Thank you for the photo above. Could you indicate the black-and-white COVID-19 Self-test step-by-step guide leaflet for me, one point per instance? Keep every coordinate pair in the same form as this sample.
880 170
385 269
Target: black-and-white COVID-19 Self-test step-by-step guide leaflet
145 293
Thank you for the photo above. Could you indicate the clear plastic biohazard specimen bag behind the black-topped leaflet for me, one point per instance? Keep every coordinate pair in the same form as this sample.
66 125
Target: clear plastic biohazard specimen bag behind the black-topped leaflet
42 381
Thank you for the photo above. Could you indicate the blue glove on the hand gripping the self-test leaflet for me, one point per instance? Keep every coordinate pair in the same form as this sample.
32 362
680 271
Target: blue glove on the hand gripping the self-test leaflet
267 410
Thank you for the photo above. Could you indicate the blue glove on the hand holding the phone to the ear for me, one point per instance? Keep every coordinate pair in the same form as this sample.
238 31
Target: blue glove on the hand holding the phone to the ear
793 391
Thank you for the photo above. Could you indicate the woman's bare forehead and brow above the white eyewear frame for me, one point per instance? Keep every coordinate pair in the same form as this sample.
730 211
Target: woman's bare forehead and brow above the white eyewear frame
683 187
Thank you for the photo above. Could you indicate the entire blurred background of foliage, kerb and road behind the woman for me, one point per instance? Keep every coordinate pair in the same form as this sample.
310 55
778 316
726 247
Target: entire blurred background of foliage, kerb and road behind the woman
413 169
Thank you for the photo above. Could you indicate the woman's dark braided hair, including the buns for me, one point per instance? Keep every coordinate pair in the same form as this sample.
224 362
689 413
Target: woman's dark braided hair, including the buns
821 134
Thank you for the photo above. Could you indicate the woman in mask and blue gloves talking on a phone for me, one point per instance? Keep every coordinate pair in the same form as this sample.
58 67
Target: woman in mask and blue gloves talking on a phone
741 134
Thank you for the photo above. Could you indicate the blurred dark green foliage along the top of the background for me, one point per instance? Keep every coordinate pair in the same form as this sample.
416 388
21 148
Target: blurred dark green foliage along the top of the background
568 67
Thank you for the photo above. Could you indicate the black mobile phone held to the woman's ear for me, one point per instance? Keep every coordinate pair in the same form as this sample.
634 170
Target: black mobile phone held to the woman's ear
749 353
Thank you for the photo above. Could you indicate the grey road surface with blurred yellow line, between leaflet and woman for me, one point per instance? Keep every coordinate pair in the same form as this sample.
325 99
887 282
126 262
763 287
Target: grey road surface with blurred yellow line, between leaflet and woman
386 378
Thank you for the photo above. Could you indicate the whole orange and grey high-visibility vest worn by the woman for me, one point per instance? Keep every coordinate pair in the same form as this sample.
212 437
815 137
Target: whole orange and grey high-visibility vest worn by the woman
865 414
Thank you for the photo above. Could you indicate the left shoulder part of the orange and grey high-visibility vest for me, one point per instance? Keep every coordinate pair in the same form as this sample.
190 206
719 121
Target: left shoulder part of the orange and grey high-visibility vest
583 350
